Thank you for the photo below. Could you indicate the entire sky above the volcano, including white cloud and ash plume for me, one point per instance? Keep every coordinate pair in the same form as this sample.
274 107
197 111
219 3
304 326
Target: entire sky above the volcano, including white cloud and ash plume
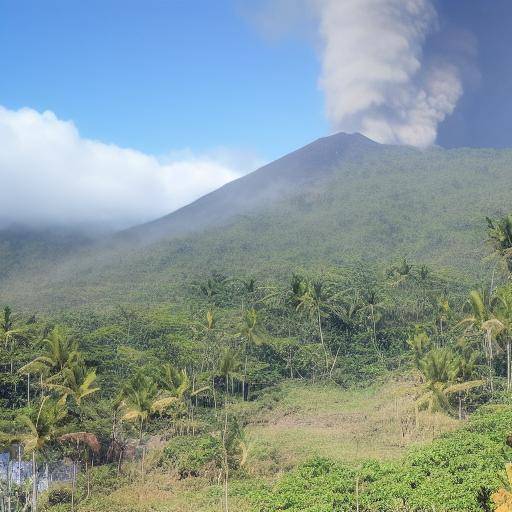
150 104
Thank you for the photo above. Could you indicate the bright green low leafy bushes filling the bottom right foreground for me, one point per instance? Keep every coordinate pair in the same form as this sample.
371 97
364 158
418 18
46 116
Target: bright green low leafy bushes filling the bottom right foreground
457 472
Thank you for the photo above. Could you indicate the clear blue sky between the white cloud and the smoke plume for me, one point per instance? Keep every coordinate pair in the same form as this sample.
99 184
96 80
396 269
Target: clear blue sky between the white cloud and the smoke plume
161 75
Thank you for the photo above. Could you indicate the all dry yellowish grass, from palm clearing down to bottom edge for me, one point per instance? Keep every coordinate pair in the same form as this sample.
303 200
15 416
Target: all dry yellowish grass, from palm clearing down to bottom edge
288 425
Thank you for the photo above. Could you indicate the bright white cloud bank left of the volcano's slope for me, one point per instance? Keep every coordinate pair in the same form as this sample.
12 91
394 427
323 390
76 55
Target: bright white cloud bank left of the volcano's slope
50 174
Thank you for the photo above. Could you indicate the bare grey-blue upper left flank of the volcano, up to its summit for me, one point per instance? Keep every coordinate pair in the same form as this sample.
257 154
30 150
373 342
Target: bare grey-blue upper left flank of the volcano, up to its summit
260 189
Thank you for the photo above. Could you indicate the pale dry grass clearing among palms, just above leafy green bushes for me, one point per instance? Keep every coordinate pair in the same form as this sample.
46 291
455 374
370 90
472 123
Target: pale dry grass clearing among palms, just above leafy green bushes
304 420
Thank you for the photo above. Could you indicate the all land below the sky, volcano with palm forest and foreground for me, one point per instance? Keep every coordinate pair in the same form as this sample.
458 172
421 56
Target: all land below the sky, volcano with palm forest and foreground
330 333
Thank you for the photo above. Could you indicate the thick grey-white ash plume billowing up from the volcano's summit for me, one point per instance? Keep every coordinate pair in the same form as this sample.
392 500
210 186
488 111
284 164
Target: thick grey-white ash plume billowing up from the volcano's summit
374 74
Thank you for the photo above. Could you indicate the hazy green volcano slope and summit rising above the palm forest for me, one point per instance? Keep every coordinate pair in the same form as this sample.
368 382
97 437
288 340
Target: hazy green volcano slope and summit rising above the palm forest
338 200
